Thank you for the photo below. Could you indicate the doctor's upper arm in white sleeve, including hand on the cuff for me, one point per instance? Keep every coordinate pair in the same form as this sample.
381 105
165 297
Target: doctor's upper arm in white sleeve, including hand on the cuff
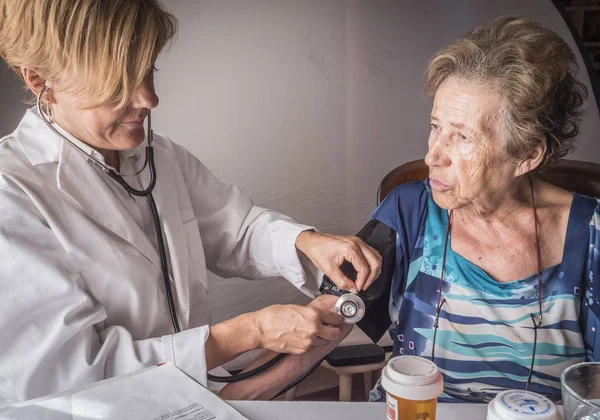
241 239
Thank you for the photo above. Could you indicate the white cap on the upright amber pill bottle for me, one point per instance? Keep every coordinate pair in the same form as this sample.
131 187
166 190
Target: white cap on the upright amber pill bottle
412 378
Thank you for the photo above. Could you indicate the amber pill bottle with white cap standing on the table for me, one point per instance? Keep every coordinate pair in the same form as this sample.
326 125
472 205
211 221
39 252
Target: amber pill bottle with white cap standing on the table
412 385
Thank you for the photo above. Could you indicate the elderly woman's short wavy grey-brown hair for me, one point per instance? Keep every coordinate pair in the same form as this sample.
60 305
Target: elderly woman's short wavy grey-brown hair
533 69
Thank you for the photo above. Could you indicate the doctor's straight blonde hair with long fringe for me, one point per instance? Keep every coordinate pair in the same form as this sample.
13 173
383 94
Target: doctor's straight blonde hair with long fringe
99 48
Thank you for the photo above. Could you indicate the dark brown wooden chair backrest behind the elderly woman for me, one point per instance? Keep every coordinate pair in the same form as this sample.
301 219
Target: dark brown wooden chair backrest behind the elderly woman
571 175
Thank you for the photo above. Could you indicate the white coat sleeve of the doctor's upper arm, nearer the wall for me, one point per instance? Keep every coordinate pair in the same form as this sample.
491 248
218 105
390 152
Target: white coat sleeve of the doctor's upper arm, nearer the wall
241 239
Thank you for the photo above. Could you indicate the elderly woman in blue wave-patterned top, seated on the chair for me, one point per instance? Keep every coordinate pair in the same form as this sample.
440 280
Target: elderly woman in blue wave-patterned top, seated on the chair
495 268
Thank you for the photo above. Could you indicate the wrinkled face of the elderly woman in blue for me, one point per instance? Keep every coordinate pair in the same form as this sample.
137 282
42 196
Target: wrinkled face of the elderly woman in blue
465 158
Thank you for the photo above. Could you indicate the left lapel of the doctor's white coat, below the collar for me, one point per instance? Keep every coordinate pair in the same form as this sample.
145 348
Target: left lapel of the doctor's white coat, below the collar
78 179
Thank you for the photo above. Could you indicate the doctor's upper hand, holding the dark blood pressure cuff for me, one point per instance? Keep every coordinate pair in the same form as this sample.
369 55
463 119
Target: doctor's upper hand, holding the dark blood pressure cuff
328 252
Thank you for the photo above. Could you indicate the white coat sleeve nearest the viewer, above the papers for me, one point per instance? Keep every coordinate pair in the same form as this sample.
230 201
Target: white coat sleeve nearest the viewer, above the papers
50 334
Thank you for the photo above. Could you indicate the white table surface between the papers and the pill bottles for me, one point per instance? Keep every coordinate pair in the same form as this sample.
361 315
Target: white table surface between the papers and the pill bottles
306 410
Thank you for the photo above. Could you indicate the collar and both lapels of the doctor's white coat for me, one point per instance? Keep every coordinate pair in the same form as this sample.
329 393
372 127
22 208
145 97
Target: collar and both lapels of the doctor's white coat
78 179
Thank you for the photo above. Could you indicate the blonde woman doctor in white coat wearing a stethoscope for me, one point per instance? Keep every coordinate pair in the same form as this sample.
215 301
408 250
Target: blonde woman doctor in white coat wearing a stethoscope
82 296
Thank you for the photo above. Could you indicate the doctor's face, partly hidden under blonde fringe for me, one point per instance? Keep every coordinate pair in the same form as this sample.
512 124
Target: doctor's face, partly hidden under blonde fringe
106 128
